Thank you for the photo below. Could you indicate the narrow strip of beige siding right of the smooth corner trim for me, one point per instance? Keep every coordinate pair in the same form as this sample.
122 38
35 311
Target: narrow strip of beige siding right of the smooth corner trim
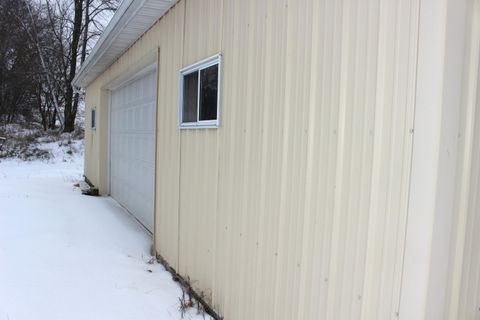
464 293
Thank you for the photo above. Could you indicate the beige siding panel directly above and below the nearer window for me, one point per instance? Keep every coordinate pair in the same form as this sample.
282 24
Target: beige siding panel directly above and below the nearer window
199 157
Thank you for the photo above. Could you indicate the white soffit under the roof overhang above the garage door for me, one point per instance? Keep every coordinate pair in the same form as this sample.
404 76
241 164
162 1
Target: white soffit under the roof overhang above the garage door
131 20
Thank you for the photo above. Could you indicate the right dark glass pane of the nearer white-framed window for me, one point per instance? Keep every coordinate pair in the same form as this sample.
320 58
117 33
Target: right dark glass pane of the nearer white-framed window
208 93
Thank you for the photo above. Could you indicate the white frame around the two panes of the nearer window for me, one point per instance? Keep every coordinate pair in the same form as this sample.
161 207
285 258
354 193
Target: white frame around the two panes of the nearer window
198 67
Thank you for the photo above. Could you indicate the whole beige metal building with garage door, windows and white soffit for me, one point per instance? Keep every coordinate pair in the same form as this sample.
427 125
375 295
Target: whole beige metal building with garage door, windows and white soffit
298 159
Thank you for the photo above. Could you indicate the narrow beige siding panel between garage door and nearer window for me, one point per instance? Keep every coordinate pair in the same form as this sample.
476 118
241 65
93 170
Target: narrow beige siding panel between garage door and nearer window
168 35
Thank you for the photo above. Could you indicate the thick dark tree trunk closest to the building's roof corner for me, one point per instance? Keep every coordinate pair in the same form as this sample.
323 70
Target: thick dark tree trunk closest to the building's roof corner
71 99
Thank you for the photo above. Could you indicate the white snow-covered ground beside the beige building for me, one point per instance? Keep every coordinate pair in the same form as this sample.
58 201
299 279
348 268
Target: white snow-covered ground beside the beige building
68 256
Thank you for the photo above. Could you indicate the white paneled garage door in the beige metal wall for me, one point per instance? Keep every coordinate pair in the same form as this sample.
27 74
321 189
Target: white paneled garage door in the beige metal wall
132 123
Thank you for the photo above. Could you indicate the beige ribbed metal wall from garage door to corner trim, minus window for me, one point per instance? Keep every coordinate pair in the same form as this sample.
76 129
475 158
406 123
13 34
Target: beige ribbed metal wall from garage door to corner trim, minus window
295 208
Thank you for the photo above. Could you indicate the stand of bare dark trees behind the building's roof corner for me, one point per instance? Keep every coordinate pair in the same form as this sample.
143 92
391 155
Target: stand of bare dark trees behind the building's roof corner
58 35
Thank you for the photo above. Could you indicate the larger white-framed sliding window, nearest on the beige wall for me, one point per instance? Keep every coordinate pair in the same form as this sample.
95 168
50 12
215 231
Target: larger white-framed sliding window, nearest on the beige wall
199 95
